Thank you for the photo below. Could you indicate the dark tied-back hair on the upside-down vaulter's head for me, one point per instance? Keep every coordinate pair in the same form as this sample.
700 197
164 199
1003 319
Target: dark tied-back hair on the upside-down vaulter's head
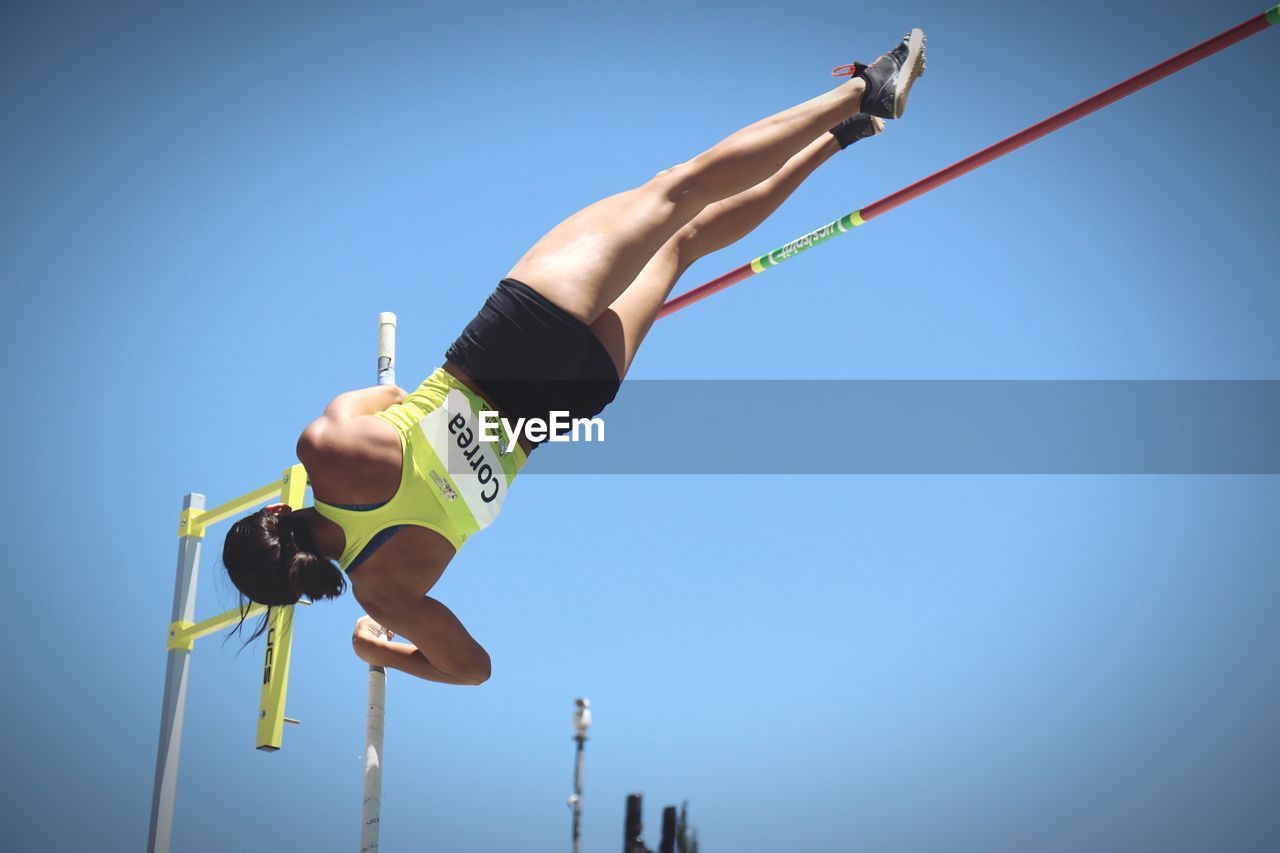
273 562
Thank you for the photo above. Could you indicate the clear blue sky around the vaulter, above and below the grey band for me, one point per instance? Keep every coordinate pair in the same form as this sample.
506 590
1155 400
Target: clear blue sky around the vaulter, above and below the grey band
204 208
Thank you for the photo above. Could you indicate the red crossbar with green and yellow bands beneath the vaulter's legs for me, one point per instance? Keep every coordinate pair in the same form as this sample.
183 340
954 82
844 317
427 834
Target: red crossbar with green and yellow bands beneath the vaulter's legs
1164 70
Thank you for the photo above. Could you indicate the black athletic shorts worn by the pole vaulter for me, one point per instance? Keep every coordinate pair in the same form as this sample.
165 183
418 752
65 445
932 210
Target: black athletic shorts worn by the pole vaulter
533 358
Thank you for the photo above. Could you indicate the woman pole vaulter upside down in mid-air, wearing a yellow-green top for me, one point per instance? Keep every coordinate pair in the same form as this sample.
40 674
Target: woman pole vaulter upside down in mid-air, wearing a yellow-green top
401 480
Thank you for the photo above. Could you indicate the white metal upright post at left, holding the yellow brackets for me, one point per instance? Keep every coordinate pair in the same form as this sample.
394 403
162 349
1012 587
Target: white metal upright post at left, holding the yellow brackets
175 688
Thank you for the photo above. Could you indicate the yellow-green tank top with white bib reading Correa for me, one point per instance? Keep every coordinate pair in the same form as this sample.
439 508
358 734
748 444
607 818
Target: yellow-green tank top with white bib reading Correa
451 481
